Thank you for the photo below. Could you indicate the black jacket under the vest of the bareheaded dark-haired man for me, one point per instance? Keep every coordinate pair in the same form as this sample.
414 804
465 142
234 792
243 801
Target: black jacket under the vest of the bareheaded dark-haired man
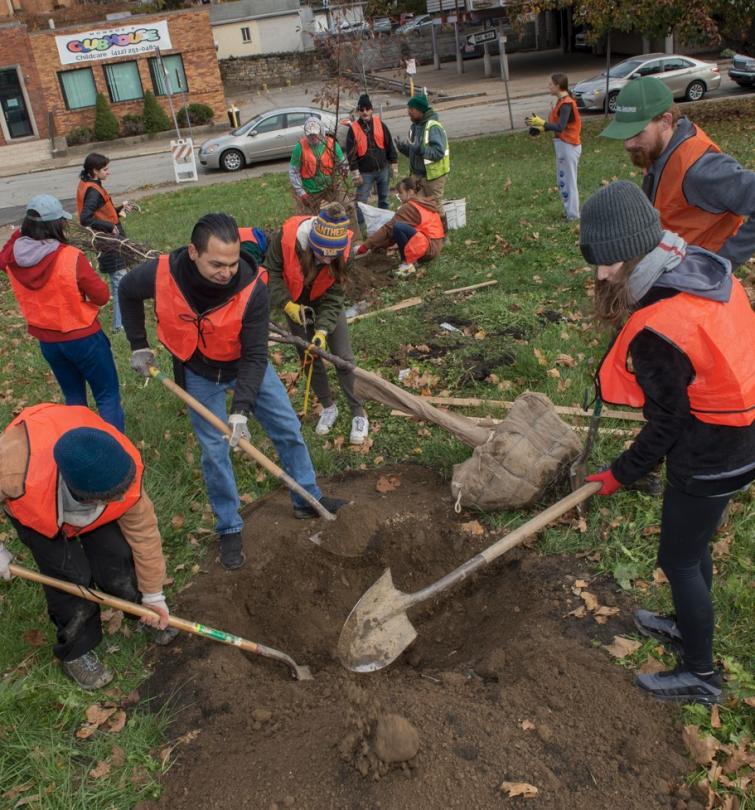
204 295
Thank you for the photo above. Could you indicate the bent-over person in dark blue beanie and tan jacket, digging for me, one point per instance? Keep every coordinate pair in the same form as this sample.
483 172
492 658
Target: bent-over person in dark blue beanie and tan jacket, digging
71 485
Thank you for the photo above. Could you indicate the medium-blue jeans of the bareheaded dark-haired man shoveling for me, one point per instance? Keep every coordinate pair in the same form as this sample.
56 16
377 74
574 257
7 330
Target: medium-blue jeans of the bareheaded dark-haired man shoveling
276 416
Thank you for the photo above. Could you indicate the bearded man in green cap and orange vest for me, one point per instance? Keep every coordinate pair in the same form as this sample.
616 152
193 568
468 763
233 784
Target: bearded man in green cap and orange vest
701 193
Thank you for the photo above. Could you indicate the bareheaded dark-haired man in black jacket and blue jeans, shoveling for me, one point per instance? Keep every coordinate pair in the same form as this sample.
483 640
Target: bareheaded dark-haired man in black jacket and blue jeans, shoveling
212 308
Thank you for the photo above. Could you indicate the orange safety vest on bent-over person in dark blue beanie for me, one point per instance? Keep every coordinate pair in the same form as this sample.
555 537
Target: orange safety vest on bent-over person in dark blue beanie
37 507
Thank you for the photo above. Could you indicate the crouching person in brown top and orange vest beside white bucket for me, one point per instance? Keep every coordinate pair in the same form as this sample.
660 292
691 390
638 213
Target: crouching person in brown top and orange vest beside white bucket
416 229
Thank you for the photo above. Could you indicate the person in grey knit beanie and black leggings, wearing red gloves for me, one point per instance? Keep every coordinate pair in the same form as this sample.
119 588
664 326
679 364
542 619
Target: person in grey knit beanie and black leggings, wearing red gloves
688 335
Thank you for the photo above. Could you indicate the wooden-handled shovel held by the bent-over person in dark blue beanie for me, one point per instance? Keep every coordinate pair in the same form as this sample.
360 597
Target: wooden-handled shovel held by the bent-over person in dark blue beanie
300 673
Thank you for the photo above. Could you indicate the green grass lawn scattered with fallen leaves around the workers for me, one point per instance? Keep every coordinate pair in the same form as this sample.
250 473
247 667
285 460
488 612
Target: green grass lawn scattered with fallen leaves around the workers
514 234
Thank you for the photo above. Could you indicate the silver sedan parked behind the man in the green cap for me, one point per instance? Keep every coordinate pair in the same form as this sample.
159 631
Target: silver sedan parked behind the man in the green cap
687 78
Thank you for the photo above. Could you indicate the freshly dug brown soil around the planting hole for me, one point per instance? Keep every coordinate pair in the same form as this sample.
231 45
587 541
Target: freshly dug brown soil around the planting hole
500 685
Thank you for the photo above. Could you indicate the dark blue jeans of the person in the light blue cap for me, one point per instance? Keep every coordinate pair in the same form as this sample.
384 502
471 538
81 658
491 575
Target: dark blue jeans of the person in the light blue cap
87 360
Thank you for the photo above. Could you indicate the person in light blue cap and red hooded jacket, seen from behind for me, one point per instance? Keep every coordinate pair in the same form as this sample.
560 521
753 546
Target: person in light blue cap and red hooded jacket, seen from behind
60 296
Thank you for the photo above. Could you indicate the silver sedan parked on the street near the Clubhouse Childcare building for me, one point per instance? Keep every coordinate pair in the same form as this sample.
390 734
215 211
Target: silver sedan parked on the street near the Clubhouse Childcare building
267 136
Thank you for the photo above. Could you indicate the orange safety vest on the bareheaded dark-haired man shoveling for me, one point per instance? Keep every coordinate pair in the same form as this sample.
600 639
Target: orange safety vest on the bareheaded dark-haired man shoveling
216 333
